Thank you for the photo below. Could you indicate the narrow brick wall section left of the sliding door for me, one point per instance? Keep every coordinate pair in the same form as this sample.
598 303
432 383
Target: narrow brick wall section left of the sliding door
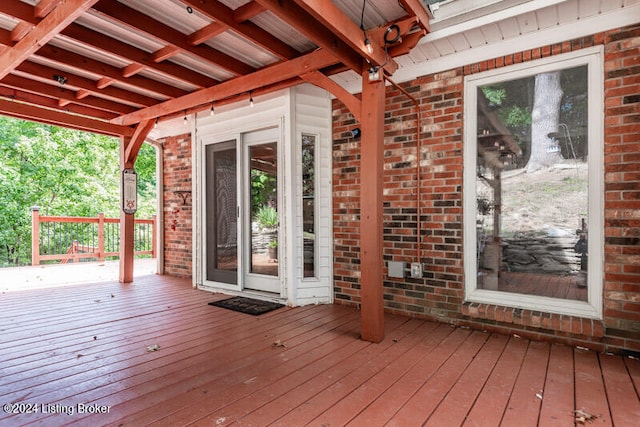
177 215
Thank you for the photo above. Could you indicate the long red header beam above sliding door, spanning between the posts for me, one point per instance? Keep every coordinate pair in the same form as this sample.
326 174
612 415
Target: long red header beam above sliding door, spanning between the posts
263 77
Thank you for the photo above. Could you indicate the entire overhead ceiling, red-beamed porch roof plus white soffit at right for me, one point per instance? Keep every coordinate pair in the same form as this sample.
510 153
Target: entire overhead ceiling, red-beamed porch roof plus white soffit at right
107 65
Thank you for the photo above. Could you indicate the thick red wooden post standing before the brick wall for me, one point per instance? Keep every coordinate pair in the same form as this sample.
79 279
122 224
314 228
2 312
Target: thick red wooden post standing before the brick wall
371 185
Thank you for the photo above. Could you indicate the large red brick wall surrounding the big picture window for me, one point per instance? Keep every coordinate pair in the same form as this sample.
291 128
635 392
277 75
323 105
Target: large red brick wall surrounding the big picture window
439 295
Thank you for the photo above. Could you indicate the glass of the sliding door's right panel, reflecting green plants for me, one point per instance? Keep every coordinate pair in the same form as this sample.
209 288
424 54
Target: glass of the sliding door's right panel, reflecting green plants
263 179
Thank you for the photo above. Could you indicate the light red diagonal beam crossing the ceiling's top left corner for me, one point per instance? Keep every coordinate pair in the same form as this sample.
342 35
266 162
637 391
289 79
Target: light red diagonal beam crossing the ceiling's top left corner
49 27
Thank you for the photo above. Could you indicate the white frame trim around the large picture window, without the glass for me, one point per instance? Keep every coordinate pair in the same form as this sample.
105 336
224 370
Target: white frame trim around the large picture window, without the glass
593 307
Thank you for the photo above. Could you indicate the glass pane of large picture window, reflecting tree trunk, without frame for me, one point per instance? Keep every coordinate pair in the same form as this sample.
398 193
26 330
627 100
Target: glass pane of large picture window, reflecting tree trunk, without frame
532 185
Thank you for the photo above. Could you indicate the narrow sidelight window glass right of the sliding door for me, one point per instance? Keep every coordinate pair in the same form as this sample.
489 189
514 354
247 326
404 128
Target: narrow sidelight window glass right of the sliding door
308 204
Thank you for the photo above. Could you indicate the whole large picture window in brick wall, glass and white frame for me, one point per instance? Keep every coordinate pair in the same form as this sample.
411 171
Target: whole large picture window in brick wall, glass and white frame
533 185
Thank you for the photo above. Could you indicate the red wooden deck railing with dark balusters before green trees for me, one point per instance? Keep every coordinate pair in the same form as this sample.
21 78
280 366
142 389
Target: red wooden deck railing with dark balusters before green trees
64 239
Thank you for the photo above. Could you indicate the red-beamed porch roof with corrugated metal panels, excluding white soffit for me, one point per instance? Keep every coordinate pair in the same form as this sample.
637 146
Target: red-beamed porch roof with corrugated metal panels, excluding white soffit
108 65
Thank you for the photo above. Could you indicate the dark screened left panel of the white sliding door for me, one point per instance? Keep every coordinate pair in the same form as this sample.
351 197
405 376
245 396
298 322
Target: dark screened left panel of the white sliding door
221 213
